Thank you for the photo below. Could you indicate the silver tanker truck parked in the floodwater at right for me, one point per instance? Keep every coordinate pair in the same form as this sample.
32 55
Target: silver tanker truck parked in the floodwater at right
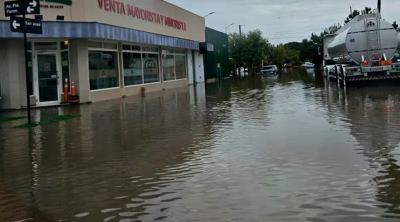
362 50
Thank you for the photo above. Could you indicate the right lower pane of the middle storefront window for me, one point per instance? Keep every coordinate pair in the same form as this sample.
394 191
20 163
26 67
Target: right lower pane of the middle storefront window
151 69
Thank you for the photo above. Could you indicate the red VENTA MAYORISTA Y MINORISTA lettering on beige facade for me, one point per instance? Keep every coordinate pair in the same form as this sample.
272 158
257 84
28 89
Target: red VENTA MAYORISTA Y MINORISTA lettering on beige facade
139 13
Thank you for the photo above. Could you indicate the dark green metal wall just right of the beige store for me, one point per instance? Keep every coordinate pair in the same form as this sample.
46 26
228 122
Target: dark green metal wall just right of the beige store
221 54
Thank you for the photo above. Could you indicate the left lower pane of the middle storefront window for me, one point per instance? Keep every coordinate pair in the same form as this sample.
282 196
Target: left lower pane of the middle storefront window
133 73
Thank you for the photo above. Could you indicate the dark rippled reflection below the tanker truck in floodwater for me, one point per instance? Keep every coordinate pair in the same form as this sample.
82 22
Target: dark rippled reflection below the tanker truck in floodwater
373 115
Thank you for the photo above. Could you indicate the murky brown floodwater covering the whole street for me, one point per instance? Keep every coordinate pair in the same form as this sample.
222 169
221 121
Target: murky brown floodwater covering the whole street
292 148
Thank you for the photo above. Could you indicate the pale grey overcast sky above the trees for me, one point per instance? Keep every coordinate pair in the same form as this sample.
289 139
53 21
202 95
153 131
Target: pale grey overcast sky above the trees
282 21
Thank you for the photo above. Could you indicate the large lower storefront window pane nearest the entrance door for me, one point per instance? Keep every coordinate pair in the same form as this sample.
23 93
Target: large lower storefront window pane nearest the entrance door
103 70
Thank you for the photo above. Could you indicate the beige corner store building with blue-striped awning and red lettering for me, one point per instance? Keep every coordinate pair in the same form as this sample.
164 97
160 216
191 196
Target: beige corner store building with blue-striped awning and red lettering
109 48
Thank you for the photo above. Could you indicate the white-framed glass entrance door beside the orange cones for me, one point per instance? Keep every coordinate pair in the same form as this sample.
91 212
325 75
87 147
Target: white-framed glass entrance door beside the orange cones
48 77
